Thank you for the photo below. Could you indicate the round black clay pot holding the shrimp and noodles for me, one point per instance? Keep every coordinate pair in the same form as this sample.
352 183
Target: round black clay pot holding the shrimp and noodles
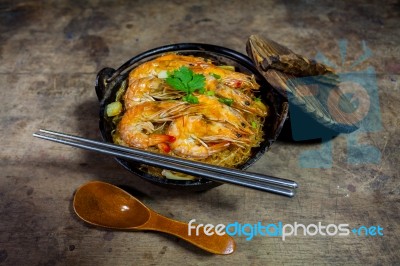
109 80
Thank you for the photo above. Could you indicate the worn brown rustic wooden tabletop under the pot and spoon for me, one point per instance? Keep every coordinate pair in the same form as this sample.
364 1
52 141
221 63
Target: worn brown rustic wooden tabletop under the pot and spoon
50 53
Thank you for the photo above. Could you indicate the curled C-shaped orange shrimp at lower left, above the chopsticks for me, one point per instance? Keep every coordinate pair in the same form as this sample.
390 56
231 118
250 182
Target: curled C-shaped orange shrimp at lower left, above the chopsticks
136 126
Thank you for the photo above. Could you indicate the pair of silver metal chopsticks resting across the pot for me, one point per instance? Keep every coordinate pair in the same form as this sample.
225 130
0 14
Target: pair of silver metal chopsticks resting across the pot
215 173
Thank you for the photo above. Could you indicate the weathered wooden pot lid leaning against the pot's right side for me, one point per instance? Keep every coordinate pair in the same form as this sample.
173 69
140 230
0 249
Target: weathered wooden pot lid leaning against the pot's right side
315 93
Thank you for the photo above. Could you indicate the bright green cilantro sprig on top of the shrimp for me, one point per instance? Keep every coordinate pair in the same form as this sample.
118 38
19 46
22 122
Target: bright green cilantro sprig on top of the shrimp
185 80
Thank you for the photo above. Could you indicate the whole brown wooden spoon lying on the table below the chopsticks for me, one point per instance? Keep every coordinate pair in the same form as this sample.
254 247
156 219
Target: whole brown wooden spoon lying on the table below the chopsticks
105 205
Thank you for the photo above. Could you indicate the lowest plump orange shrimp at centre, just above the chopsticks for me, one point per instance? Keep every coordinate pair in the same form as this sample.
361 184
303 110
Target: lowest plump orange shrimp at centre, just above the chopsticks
198 138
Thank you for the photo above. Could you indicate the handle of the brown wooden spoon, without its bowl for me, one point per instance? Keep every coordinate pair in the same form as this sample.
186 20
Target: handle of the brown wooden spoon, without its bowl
213 242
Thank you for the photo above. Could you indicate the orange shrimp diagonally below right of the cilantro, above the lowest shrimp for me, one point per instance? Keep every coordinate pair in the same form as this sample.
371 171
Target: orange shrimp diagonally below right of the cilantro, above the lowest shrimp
211 108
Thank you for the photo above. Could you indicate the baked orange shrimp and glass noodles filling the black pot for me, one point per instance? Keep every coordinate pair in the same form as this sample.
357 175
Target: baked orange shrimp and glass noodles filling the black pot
186 106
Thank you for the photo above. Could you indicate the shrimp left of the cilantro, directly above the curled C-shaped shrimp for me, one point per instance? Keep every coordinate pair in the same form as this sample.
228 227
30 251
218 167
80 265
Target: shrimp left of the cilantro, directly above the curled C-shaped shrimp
148 89
